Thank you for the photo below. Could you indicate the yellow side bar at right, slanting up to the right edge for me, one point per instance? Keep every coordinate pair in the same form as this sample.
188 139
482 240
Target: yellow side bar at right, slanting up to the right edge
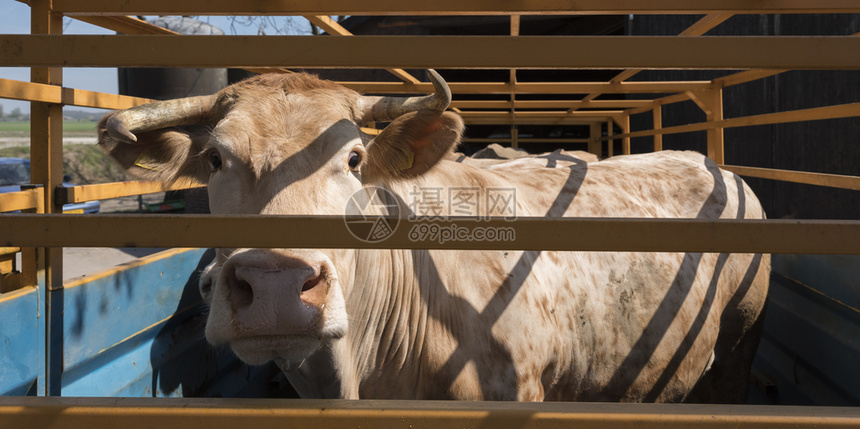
813 114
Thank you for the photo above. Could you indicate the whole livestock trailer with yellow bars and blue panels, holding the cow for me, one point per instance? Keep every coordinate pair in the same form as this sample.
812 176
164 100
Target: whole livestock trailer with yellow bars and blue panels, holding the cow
128 334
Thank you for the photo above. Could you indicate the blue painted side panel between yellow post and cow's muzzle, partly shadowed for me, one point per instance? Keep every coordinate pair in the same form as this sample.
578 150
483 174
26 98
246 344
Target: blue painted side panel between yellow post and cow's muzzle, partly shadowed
139 332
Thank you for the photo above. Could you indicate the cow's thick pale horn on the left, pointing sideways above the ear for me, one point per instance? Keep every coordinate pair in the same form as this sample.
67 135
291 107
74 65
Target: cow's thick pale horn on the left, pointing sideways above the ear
159 114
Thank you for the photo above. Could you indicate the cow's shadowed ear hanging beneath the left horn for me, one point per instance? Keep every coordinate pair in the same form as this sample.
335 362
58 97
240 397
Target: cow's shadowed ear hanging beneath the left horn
166 155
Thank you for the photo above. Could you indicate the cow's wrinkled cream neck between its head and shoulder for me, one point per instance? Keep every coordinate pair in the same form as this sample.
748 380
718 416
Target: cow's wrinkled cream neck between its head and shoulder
390 305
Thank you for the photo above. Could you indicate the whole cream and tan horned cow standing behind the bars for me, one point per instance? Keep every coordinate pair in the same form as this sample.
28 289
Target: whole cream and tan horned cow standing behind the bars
450 324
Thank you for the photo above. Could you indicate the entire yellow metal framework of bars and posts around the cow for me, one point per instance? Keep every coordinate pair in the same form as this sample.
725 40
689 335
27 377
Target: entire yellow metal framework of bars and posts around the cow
40 236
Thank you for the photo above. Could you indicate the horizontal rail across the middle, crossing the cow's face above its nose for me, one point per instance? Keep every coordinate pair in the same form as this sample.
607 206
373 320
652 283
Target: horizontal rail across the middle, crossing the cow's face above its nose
572 234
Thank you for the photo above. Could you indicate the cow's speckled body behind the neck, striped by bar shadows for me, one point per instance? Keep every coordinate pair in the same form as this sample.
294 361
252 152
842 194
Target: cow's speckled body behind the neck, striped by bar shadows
589 325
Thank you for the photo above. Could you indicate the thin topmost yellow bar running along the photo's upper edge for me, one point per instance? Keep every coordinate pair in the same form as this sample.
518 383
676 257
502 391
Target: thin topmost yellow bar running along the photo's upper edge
448 7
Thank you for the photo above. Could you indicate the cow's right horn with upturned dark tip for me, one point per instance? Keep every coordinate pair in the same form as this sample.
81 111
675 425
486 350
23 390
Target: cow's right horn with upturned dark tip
383 109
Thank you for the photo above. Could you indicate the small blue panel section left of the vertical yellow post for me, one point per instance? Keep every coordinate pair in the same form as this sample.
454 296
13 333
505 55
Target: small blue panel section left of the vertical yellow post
19 357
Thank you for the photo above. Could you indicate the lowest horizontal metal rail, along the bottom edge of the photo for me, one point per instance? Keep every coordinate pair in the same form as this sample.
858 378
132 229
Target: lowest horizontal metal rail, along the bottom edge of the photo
277 413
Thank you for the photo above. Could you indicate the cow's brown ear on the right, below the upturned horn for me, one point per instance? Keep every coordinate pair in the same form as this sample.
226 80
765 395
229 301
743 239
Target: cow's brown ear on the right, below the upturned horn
412 144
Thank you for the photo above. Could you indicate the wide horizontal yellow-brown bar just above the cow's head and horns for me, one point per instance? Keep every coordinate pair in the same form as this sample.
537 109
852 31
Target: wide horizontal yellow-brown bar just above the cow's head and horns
726 52
